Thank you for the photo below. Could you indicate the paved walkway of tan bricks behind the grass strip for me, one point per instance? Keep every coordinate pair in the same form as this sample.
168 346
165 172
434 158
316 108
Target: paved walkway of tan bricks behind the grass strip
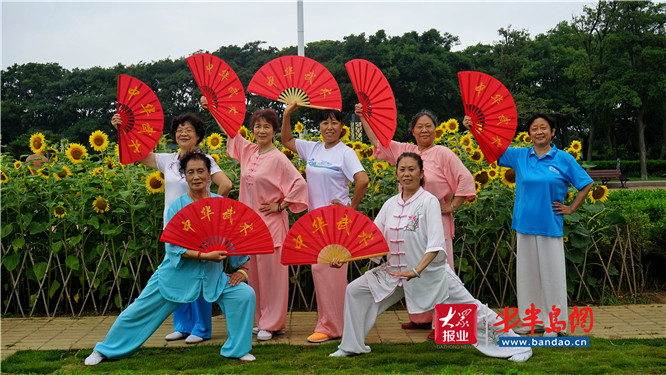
627 321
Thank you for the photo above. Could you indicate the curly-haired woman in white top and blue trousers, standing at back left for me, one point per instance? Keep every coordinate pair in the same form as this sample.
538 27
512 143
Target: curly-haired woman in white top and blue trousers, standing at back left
191 321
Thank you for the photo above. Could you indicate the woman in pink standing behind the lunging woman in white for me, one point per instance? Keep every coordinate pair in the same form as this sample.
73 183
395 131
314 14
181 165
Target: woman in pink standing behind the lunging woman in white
446 177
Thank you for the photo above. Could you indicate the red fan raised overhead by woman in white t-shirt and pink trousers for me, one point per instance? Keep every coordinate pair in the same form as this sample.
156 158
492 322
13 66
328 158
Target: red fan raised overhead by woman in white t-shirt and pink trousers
298 79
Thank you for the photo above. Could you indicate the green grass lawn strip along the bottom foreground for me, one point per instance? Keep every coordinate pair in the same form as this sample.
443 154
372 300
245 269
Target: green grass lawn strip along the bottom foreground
625 356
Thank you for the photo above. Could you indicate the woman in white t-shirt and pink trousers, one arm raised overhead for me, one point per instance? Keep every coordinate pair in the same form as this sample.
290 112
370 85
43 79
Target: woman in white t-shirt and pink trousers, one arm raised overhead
331 166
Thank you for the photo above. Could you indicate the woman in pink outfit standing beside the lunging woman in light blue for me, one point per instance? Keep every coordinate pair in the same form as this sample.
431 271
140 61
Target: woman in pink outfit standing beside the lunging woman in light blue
269 184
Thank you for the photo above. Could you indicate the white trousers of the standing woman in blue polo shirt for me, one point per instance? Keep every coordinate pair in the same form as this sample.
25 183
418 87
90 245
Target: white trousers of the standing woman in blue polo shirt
541 276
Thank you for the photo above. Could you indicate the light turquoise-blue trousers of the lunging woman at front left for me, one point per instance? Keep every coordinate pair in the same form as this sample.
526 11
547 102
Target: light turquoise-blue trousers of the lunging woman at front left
142 318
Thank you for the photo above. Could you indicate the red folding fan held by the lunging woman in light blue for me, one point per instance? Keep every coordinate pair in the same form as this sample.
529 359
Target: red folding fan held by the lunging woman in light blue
217 223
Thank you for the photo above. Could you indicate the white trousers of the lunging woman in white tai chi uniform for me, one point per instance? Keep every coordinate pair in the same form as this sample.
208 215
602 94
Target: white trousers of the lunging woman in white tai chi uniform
361 312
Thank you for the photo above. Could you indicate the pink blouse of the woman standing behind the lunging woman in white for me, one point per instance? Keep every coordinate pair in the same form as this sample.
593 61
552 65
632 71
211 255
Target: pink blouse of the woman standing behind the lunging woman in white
445 174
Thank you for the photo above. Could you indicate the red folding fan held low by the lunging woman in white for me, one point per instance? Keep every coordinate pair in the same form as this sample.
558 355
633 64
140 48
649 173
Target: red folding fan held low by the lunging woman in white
332 232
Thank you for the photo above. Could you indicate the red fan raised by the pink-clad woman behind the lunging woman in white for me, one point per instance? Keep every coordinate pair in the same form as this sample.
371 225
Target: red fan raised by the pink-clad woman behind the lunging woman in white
375 94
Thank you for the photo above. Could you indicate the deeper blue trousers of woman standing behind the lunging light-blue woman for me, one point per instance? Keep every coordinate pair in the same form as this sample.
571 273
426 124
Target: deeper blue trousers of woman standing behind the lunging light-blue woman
194 318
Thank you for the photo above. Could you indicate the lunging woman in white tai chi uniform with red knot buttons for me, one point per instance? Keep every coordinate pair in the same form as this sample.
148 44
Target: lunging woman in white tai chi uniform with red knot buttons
415 269
